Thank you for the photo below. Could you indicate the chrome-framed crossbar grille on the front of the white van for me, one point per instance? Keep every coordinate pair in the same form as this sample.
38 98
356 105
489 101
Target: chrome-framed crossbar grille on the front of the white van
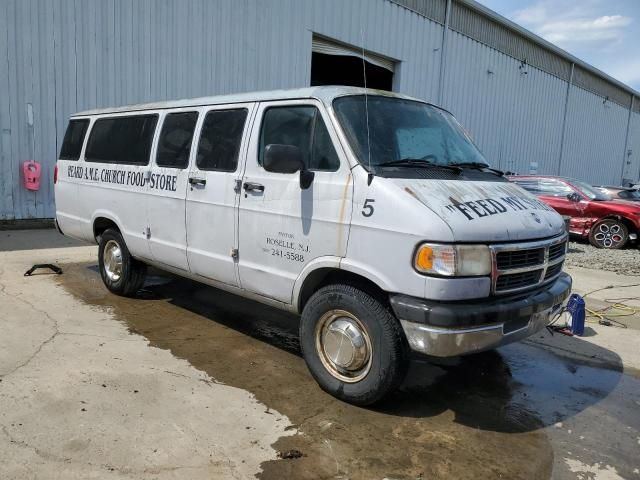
521 266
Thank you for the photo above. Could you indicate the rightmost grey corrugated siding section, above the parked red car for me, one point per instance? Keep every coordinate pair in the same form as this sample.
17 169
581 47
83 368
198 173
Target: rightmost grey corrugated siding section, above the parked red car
594 141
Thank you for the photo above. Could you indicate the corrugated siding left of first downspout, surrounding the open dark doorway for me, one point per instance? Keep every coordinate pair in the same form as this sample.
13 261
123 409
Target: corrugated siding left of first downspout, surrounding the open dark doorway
69 55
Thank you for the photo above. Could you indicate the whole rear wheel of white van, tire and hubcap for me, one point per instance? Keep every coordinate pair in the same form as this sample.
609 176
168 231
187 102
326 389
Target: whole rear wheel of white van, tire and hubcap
121 273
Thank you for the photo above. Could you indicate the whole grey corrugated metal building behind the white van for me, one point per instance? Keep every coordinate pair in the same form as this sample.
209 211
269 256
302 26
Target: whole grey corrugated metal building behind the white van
528 104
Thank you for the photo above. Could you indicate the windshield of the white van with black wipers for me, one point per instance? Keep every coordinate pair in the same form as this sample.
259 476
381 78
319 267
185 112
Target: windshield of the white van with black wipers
404 132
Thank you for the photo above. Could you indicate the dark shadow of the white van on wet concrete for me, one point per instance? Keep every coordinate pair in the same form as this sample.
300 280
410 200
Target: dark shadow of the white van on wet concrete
516 389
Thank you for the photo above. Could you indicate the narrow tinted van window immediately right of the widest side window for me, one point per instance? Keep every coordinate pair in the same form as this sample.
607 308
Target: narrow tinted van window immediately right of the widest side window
176 135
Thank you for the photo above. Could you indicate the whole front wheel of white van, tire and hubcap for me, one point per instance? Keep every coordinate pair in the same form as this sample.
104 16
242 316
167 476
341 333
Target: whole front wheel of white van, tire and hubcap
353 345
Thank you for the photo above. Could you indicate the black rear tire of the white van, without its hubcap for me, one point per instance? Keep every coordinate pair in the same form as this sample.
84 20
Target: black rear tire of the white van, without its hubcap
133 272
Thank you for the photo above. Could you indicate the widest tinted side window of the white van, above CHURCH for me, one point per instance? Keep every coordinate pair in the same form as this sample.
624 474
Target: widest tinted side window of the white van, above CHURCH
125 140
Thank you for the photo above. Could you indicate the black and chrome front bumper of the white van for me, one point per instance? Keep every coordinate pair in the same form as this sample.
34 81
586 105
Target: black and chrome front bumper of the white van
449 329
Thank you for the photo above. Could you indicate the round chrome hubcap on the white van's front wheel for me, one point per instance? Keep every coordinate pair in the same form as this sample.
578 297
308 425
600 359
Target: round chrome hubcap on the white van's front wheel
343 346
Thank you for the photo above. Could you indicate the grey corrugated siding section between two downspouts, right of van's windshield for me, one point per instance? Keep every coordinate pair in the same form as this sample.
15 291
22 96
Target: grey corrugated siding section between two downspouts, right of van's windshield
514 118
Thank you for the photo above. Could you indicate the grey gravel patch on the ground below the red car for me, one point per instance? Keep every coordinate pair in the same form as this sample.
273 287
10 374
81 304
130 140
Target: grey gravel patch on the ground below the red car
625 261
